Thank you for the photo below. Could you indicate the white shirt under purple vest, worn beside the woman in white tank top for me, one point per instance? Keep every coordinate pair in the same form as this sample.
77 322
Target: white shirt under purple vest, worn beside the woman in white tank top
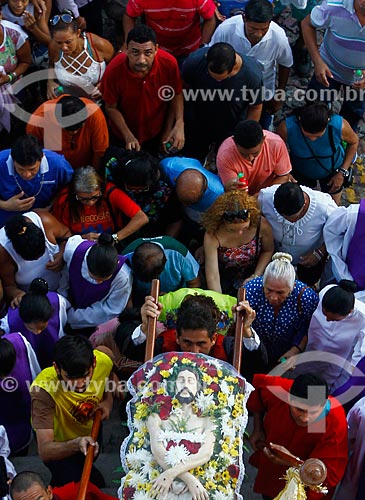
107 308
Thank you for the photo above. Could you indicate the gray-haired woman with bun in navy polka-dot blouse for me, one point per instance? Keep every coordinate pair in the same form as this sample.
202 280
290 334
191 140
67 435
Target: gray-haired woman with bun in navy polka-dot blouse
284 307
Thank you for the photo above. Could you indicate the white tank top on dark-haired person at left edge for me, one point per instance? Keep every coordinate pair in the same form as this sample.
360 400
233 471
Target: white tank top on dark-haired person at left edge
28 270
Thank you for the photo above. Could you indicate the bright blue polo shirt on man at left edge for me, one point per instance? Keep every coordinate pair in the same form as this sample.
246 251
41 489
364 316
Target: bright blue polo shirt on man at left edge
54 173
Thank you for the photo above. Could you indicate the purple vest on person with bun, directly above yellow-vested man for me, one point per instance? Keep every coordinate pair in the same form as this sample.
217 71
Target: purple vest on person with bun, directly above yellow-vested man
43 344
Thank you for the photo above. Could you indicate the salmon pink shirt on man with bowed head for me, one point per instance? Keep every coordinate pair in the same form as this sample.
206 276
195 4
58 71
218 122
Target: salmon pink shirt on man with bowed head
272 161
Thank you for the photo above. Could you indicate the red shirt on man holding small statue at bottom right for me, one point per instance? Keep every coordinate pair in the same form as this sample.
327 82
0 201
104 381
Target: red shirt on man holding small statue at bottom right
329 445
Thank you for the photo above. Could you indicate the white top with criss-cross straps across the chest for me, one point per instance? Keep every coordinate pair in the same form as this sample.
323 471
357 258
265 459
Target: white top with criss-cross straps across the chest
80 75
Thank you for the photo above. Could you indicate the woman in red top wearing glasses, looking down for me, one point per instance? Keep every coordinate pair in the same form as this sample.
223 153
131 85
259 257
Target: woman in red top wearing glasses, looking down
89 207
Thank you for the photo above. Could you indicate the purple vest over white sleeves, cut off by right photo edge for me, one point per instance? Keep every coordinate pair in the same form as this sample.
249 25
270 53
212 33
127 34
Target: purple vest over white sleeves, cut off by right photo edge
356 251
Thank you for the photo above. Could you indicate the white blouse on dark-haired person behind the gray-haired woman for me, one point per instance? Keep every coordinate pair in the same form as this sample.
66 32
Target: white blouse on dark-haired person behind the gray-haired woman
304 235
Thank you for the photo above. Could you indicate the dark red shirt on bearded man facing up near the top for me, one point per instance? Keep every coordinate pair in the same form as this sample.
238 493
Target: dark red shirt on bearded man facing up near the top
137 97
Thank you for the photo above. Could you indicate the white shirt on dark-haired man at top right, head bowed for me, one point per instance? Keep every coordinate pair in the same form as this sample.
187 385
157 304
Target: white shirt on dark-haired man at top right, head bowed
272 50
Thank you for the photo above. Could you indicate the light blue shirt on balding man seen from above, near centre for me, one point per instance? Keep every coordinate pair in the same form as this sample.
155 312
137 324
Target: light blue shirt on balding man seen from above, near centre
173 167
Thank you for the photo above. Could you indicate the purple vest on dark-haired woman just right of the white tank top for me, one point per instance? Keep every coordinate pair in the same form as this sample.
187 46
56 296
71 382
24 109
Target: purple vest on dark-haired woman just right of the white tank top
83 293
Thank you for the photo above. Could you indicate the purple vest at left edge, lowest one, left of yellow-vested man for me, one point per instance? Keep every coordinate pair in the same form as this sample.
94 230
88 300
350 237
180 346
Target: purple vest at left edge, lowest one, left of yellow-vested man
15 404
